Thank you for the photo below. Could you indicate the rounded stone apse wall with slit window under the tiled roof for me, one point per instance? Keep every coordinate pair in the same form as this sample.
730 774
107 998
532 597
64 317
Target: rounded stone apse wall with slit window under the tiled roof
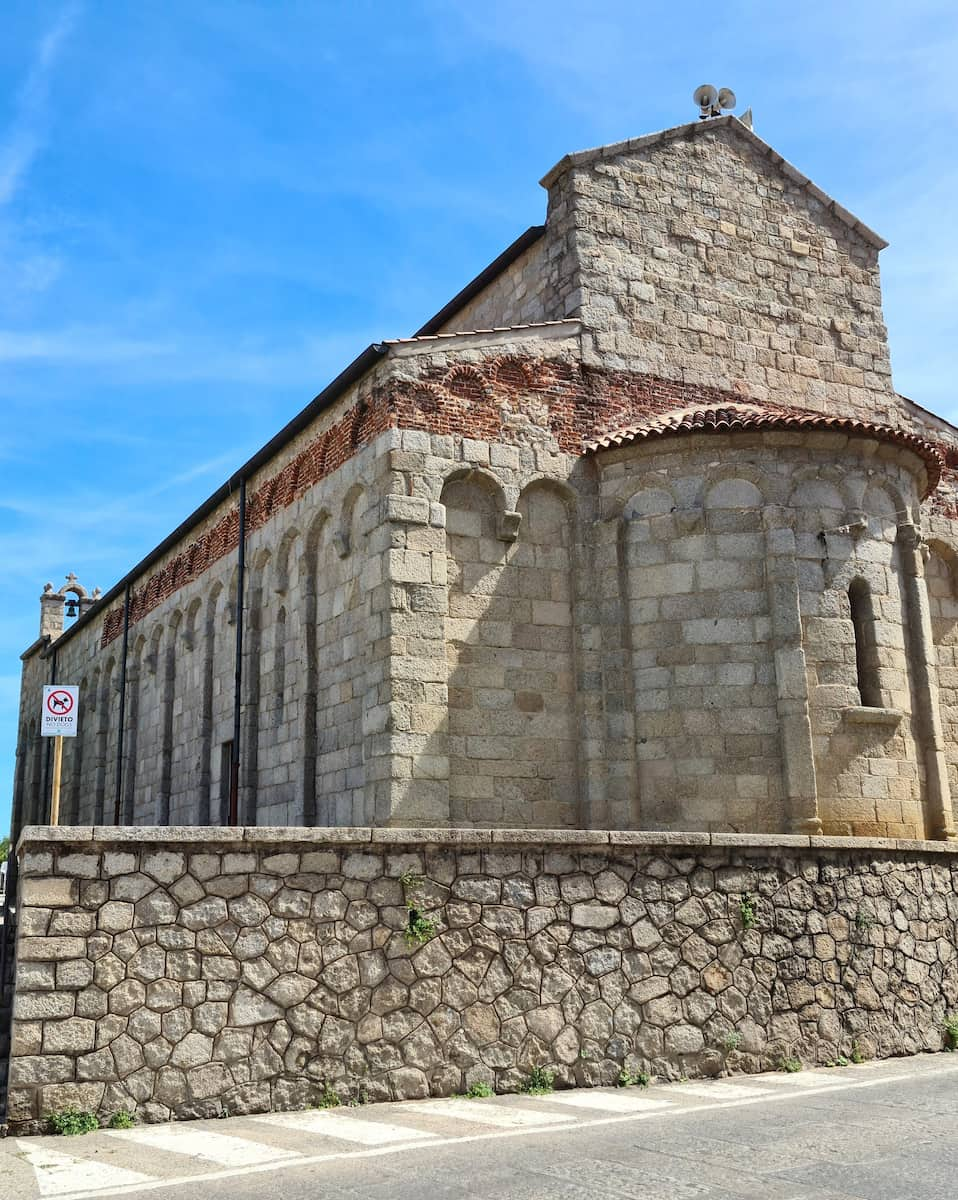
762 586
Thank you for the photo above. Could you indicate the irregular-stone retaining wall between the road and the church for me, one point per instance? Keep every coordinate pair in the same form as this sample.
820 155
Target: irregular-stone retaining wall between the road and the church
184 973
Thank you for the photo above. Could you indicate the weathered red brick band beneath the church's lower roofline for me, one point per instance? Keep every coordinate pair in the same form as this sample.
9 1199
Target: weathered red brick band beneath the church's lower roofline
493 401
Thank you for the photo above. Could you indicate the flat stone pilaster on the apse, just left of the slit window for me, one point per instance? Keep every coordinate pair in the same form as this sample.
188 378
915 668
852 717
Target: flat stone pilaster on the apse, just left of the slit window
792 682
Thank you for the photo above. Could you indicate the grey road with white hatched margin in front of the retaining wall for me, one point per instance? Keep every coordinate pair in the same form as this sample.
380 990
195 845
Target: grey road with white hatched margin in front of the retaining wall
877 1132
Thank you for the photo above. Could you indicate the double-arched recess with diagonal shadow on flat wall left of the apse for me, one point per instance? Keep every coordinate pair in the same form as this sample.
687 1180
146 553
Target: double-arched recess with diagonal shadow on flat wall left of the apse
512 731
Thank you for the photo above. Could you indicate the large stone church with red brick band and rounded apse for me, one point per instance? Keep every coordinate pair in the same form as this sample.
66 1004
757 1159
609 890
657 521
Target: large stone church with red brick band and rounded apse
636 533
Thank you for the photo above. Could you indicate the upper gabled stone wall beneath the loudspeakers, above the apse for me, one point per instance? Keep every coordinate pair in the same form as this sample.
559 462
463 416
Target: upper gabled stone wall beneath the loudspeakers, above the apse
698 257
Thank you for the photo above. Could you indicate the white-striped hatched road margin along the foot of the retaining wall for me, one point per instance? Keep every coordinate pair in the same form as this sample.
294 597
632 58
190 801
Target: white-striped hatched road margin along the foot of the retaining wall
179 1155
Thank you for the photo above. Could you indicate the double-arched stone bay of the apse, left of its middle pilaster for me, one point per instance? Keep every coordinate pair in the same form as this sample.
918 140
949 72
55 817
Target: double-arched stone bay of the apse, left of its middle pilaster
705 699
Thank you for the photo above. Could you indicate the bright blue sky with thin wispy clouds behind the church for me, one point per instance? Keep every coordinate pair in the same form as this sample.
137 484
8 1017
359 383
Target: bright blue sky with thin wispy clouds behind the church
208 209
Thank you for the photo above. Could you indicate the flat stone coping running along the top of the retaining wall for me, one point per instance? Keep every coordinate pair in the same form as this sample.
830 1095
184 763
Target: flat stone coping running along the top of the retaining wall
302 836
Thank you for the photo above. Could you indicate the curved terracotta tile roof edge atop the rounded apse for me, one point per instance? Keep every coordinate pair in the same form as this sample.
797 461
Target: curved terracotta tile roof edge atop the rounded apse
734 418
